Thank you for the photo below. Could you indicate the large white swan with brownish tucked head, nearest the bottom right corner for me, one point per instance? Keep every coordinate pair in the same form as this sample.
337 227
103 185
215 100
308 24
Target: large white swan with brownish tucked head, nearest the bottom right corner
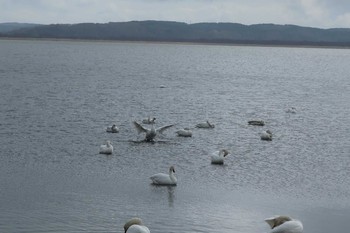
284 224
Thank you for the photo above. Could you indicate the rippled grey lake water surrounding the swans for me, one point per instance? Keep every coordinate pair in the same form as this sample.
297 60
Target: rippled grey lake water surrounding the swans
58 97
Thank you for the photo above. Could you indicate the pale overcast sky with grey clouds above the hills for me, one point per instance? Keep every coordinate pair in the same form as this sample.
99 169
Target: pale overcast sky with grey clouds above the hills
312 13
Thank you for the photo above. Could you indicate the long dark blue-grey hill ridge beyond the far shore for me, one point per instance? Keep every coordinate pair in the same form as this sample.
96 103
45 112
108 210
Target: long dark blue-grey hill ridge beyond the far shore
167 31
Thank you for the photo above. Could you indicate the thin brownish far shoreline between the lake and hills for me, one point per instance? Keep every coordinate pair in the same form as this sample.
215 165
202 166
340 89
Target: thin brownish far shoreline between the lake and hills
286 45
